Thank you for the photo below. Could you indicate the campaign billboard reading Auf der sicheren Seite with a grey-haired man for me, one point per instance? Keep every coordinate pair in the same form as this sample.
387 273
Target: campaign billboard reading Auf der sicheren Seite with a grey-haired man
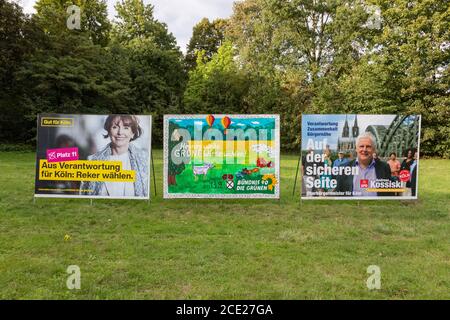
353 156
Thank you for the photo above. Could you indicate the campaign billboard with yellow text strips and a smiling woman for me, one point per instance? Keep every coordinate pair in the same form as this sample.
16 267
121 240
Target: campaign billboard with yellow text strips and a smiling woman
93 156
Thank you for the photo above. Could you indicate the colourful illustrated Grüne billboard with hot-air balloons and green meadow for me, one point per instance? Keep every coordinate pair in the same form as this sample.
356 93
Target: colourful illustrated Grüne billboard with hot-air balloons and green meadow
221 156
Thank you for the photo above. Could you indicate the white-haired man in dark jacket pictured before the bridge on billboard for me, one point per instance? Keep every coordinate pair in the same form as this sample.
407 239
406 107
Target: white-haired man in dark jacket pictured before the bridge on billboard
369 169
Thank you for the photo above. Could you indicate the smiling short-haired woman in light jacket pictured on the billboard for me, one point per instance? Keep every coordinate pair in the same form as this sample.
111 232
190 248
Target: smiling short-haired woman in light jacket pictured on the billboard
121 130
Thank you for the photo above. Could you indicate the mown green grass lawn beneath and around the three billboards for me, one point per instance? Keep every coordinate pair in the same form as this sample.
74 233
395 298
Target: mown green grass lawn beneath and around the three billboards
223 249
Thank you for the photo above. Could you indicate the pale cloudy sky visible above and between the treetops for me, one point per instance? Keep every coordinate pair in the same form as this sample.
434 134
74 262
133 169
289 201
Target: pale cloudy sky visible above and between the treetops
179 15
